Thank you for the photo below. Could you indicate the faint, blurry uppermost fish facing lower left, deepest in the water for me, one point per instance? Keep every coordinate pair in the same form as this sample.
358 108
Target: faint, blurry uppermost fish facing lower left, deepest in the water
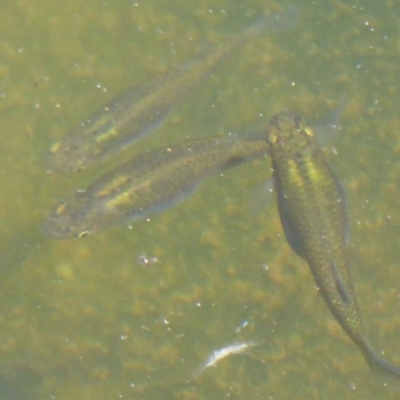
140 110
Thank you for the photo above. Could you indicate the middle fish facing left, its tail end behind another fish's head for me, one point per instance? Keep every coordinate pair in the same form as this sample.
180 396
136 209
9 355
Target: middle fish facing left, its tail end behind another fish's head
150 183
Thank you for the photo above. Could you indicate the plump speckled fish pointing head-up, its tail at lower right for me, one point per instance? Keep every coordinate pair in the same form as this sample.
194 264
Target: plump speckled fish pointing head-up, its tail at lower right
313 212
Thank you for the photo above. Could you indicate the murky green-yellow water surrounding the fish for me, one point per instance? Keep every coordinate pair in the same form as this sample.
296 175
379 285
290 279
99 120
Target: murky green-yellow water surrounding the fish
85 318
